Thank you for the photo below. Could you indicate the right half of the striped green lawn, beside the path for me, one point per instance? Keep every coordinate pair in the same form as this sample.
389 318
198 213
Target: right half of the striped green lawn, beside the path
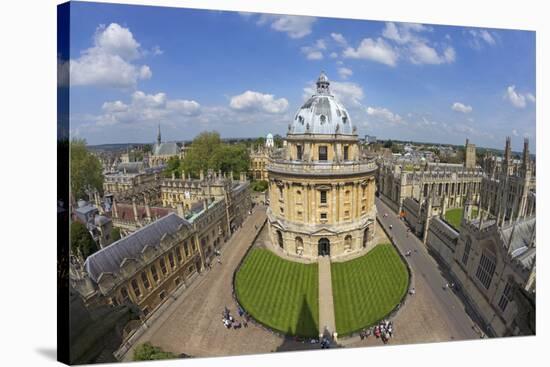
368 288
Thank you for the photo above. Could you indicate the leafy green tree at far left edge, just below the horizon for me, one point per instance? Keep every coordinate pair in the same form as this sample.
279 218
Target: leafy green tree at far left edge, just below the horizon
86 171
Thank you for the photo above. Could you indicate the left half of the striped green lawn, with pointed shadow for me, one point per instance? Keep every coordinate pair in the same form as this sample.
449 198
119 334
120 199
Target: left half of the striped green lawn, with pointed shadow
280 294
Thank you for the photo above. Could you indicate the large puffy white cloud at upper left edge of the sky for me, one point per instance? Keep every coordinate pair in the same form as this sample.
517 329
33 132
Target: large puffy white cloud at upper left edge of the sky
109 61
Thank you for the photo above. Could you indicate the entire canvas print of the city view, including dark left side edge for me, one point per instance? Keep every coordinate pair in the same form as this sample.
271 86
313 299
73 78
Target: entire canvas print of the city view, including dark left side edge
277 183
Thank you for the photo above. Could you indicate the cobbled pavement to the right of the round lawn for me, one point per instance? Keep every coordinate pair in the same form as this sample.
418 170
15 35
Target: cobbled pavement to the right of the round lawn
433 314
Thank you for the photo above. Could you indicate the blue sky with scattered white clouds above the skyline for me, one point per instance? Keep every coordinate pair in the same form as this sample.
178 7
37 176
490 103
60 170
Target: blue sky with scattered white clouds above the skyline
244 75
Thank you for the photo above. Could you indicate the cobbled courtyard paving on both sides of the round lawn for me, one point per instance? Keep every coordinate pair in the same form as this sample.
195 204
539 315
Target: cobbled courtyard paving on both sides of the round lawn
192 324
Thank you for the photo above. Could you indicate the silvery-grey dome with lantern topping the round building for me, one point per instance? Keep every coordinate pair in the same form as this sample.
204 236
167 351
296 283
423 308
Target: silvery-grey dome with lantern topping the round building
322 113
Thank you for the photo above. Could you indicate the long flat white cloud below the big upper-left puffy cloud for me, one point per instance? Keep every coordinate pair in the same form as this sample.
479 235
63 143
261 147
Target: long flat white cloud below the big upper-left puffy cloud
146 108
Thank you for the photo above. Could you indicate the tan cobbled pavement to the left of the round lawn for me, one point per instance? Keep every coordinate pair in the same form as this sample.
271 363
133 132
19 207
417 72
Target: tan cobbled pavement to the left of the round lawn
192 324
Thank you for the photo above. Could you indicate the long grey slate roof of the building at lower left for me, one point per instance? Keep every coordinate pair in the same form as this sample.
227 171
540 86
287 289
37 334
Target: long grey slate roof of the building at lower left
108 259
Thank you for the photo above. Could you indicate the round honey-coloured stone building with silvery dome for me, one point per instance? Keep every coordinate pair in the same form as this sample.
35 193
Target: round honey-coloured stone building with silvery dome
321 190
